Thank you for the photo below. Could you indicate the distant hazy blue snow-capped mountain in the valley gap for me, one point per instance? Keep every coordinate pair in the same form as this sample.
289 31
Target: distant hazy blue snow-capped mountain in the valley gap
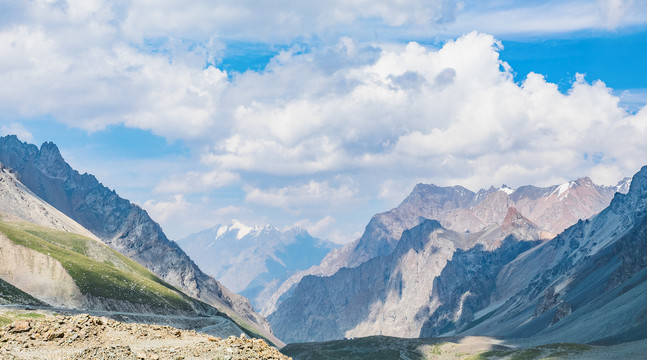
253 261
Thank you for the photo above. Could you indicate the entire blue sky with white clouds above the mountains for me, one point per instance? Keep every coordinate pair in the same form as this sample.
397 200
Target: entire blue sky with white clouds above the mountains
321 115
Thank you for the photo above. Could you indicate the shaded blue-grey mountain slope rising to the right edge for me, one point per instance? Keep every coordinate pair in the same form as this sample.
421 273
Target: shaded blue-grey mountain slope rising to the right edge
587 284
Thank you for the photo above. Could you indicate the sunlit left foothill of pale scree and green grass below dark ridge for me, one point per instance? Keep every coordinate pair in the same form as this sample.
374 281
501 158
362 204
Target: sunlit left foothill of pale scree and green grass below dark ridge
47 259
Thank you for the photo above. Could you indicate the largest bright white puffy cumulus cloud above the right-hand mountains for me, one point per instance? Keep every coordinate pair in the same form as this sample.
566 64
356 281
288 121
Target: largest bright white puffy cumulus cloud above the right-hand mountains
473 122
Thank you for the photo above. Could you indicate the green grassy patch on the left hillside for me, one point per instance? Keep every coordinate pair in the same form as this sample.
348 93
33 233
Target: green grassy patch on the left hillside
98 270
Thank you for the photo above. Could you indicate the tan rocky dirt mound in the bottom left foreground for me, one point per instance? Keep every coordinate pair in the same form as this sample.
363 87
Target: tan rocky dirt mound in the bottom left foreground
89 337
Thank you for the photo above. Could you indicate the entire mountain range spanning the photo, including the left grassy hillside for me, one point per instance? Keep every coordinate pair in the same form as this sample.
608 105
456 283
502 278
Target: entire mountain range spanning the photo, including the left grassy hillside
564 263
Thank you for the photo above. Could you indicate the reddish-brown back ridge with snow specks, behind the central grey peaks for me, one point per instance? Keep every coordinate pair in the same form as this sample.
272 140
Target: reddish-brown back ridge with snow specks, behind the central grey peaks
456 208
